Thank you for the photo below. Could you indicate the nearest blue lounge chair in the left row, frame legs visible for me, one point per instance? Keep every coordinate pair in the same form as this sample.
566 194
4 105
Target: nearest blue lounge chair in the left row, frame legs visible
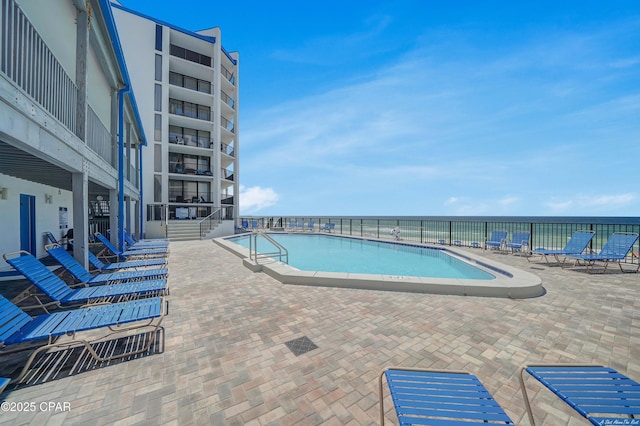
18 327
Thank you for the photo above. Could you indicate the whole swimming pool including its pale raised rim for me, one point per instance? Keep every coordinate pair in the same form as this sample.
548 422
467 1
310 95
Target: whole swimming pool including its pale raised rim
343 261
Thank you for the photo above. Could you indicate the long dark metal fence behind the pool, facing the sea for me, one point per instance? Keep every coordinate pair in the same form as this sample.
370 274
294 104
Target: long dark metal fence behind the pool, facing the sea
551 233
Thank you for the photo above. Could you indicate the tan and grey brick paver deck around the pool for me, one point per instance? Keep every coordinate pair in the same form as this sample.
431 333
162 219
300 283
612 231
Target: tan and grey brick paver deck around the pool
223 358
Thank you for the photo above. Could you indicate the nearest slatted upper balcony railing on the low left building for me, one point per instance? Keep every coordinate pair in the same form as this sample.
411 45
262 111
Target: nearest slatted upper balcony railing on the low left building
28 62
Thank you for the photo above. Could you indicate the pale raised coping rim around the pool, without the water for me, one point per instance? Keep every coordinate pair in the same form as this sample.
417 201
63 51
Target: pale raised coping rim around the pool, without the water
509 282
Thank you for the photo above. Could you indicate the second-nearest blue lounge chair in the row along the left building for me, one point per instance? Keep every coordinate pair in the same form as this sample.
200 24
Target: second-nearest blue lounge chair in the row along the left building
60 293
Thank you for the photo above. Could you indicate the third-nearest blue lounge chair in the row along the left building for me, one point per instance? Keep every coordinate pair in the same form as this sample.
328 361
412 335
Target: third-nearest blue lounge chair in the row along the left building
84 276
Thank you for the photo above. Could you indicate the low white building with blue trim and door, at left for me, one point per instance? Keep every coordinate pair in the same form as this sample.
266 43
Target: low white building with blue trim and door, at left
70 131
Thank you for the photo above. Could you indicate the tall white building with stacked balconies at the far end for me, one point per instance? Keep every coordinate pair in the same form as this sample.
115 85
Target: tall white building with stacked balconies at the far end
187 91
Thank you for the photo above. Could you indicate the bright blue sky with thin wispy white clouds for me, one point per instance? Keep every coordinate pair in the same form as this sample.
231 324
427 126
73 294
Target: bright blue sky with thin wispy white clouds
420 108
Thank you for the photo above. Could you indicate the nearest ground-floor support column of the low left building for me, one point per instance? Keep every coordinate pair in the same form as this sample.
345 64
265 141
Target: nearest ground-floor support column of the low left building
80 188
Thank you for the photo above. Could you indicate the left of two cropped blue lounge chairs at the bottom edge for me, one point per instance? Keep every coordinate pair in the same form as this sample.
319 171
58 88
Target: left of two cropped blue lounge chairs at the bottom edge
436 397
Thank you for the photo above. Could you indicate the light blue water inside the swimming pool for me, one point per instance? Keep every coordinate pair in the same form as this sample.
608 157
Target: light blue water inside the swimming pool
342 254
